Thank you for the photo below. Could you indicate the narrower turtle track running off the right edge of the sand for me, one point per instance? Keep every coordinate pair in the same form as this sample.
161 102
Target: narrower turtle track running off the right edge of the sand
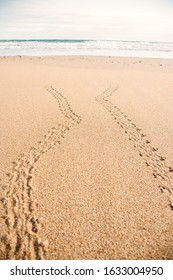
156 163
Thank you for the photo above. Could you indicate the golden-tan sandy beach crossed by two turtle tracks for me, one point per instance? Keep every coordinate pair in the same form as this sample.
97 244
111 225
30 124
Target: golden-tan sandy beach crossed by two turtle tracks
86 169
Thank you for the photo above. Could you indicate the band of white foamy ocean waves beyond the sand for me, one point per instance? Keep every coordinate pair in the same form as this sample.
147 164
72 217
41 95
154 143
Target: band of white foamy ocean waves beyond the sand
86 47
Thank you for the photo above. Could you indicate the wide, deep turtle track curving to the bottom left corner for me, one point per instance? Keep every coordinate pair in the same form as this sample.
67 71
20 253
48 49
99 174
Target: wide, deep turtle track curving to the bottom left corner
22 239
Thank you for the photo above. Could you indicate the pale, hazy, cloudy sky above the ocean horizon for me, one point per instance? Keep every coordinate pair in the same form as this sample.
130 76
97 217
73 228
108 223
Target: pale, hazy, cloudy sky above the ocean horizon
138 20
